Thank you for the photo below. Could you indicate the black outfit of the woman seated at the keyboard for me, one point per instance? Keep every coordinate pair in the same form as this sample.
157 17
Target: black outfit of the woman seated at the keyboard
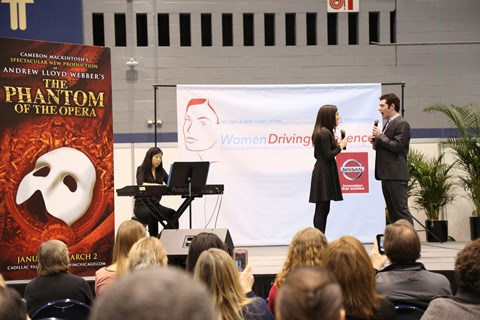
142 212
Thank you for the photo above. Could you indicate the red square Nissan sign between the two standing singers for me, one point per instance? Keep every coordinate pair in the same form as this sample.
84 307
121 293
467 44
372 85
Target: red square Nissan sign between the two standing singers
353 172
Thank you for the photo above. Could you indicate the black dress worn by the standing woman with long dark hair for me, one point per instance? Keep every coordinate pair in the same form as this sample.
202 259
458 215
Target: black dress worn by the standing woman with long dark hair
325 184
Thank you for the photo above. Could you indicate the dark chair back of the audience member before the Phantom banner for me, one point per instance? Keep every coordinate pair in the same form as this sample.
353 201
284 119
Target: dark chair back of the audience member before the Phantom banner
66 309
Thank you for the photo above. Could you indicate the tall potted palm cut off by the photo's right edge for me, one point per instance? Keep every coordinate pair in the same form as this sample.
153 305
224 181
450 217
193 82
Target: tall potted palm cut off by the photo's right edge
466 148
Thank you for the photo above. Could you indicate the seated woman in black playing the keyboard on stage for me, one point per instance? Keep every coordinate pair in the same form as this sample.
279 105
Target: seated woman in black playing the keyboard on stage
151 172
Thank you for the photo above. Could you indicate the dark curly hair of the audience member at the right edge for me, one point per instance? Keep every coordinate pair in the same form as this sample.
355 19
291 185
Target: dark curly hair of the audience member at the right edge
467 268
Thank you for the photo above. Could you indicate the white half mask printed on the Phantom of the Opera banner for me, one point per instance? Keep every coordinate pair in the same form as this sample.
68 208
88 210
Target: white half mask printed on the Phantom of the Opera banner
66 178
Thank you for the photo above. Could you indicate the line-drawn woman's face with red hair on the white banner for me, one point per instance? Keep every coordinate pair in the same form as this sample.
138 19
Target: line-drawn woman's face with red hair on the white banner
199 126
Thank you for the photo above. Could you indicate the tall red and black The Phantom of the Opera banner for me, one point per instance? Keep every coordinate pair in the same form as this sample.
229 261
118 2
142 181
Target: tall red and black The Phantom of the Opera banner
56 160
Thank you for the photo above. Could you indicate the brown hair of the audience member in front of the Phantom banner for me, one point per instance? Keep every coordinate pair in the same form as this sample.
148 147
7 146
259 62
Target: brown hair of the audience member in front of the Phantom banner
52 258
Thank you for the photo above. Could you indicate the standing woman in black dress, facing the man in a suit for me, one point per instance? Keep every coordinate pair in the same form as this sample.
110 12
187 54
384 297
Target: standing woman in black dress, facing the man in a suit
325 185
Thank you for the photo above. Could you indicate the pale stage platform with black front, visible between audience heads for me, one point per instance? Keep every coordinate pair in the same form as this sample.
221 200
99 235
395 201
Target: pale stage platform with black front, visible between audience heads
268 261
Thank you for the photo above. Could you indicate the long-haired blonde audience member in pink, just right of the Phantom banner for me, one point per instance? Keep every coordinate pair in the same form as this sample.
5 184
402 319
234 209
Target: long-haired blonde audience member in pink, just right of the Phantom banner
128 233
